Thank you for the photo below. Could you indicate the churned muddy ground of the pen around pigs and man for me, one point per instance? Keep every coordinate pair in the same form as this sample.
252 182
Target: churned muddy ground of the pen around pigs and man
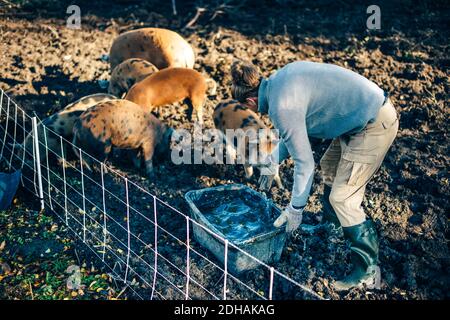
45 65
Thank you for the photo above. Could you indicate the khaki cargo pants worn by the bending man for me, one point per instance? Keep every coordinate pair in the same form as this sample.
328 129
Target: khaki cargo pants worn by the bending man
352 160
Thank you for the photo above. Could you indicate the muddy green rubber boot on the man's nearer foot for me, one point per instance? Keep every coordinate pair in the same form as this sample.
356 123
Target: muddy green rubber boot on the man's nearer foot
364 256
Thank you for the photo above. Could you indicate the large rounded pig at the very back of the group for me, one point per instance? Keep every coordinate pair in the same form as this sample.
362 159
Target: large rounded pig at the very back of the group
163 48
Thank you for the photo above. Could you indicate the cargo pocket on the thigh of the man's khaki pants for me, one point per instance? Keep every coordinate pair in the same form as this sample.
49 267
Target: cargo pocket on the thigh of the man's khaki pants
363 167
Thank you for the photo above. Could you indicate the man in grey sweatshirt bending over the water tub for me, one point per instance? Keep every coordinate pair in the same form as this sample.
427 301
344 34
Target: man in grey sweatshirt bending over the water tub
307 99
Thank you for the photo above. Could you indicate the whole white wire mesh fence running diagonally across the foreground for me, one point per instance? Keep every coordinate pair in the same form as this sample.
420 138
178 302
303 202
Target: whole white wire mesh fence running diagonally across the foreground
145 244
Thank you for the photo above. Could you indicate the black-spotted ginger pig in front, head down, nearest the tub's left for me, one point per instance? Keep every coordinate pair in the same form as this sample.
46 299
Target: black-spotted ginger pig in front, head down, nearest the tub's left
121 124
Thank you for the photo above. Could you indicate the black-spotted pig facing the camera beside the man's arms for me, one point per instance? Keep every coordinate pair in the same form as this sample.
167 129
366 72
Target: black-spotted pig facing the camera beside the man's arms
233 115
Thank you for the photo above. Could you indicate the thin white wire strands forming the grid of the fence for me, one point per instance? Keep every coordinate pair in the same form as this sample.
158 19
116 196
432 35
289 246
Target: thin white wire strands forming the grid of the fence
106 216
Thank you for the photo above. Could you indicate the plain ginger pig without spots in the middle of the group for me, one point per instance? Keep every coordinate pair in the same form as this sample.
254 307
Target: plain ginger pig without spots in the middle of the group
172 85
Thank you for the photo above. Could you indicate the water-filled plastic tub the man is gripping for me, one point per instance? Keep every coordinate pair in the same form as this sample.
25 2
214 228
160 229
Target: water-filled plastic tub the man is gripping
242 216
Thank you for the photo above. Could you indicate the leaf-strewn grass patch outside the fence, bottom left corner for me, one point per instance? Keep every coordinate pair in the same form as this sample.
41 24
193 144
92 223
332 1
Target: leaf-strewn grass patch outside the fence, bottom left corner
35 254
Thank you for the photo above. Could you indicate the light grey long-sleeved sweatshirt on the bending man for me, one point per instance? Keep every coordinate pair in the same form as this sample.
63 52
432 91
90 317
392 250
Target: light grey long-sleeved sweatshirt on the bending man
308 99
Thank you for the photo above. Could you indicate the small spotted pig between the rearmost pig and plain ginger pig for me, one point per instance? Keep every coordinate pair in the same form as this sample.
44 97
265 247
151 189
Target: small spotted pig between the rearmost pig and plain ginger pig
127 73
